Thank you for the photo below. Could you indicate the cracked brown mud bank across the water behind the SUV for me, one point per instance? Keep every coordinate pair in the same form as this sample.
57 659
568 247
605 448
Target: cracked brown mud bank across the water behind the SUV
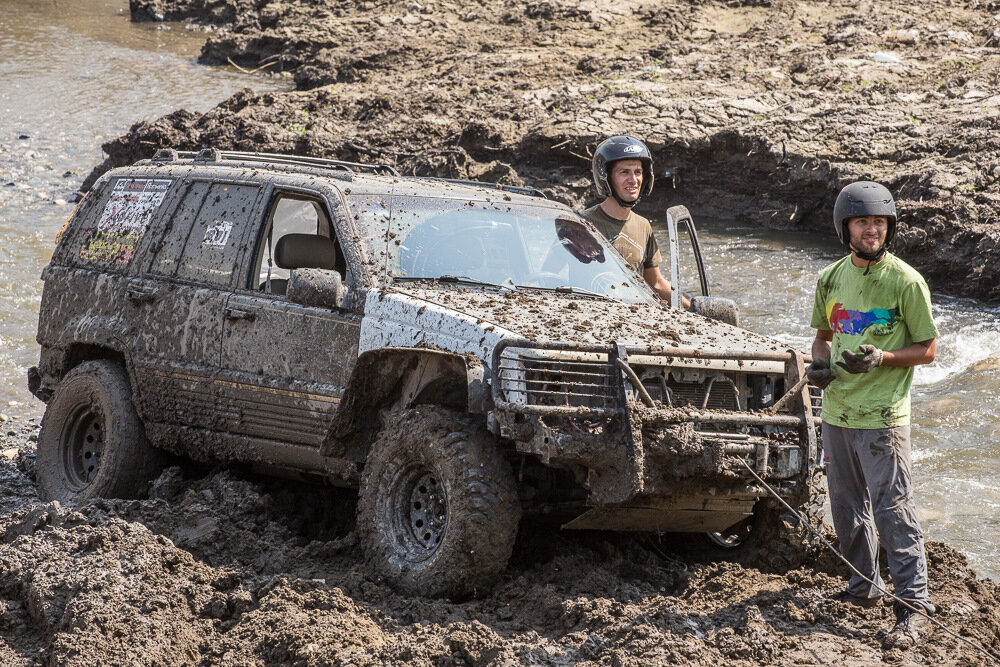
758 110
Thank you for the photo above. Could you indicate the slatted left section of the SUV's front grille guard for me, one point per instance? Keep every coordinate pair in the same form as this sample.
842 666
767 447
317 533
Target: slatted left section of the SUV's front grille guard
532 380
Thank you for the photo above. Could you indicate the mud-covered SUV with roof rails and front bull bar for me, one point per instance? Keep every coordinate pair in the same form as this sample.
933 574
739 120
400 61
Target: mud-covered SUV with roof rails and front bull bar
461 353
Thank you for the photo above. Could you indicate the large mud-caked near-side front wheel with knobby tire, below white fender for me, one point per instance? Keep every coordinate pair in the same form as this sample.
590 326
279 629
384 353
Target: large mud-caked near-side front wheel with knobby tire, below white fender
438 507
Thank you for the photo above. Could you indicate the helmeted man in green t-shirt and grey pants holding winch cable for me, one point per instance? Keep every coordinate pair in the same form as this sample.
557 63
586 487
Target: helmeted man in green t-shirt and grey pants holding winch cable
872 316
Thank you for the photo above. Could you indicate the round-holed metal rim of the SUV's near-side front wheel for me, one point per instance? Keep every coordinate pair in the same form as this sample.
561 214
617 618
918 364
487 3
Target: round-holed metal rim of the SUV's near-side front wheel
419 512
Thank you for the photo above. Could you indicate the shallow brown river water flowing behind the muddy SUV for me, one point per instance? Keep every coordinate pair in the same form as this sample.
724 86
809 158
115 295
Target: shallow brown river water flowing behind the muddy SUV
75 74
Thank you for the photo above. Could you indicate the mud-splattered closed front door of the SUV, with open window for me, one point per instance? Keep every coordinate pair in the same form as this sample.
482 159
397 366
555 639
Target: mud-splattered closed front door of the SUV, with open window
285 365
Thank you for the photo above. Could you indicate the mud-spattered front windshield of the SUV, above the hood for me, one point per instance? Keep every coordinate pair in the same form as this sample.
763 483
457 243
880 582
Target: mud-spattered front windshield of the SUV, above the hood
494 242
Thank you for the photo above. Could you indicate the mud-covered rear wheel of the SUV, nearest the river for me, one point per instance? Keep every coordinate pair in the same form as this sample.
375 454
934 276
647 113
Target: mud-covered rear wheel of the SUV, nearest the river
92 442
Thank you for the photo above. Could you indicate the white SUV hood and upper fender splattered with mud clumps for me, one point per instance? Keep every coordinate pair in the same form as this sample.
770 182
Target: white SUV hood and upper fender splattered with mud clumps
474 320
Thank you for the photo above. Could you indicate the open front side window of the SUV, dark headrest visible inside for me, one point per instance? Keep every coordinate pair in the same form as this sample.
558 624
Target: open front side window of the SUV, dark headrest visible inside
291 214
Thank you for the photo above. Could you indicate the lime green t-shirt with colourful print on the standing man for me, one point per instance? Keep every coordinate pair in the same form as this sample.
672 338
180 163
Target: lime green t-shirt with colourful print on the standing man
889 308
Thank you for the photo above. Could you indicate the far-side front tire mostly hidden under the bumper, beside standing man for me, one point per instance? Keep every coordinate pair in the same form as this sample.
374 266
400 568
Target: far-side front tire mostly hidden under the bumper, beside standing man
773 539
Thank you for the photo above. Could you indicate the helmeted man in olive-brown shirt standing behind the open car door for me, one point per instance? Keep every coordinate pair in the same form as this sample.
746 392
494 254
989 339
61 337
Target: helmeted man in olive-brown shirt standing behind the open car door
623 174
